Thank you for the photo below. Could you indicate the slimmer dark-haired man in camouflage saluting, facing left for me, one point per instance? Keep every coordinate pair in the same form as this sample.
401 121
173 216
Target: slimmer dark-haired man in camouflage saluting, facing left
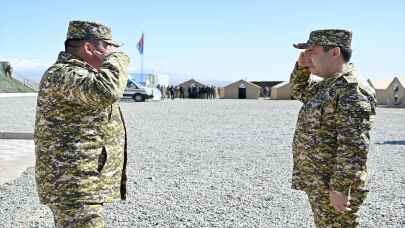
332 138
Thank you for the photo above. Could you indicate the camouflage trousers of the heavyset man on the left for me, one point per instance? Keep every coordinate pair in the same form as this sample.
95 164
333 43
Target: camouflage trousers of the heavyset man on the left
78 216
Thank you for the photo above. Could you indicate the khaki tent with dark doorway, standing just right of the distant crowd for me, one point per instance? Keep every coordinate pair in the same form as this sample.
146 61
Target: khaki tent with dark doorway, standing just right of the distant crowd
241 90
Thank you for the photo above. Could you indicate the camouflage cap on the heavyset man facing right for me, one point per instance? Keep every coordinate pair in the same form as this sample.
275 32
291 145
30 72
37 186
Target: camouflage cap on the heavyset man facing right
86 30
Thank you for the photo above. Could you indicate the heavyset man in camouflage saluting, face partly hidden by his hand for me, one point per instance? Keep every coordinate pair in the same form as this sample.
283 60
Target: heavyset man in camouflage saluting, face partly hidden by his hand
80 138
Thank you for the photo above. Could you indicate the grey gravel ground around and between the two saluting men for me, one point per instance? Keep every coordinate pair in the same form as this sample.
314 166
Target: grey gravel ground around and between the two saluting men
217 163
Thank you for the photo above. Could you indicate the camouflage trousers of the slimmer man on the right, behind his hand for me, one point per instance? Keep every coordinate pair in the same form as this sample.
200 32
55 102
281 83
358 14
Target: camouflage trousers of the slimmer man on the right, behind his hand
325 214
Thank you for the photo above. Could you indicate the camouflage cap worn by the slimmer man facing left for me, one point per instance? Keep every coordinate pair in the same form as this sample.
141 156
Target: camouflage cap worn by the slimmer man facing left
328 37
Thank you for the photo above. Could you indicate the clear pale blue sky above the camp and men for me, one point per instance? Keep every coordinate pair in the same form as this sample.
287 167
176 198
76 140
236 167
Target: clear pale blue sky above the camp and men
222 40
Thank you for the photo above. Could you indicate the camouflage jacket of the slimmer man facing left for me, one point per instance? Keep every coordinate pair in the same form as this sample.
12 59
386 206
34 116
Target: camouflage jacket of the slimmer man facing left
332 138
